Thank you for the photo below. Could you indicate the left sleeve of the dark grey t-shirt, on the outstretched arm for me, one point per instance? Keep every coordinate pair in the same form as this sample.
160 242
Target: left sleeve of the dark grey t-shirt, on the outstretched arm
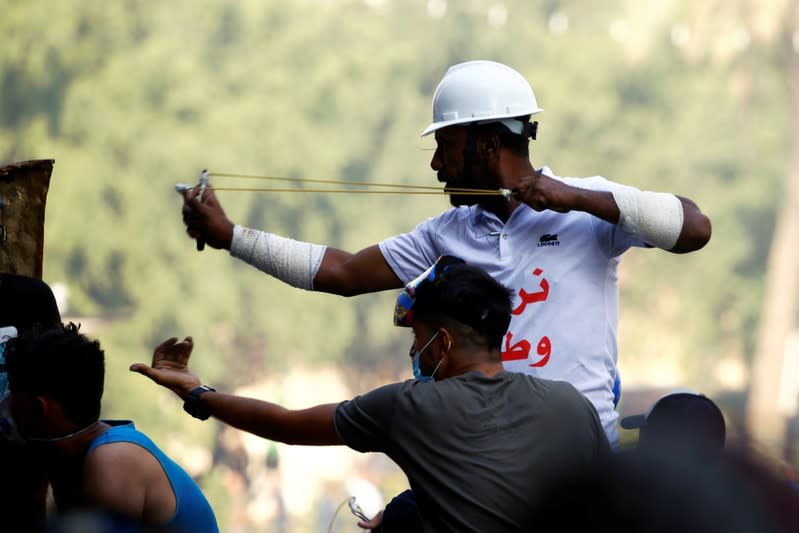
364 423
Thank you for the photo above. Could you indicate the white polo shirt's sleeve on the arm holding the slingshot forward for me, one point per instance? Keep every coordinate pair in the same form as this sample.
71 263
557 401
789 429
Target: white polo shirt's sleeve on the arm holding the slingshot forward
410 254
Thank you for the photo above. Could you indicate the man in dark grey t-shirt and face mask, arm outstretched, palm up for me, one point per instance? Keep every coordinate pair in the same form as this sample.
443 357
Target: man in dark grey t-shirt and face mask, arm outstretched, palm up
477 443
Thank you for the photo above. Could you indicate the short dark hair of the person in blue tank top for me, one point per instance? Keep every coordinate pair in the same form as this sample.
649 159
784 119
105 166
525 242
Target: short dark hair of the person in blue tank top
60 363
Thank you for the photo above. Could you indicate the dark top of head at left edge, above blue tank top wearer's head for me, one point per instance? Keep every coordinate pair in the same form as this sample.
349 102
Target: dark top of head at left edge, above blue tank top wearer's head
26 302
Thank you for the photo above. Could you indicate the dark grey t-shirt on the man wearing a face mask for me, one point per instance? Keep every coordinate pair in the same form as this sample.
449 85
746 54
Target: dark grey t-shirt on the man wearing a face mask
476 450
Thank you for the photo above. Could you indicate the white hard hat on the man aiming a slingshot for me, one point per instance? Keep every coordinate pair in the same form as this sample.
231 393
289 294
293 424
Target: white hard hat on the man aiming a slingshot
482 92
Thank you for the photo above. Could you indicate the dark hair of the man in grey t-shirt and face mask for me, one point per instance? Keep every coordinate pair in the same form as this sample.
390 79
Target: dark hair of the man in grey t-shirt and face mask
467 299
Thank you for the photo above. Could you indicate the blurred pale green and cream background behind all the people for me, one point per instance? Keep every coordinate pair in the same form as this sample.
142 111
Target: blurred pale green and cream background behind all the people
694 97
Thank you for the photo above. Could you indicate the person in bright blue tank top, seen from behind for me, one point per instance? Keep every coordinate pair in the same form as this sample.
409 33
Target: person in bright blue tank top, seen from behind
56 381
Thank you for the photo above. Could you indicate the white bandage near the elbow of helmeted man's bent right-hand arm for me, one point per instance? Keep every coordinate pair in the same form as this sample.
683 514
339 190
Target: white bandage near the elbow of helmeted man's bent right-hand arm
656 217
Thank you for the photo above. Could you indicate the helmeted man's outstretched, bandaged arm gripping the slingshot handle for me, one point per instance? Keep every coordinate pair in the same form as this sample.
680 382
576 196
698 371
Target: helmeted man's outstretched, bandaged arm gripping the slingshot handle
300 264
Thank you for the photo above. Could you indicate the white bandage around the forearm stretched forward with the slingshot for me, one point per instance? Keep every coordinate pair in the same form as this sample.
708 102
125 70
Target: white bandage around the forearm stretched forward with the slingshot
290 261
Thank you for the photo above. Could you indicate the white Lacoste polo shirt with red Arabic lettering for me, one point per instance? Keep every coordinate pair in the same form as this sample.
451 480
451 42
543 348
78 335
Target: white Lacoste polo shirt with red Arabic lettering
562 269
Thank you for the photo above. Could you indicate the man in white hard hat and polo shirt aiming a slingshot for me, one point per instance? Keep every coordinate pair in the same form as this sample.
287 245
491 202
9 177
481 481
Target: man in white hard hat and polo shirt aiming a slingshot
555 241
